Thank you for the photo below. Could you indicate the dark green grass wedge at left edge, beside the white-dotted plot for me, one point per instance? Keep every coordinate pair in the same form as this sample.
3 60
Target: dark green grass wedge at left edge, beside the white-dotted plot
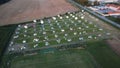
5 35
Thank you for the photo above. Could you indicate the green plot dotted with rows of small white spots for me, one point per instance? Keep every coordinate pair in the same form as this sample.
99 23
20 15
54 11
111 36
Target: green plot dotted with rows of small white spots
69 28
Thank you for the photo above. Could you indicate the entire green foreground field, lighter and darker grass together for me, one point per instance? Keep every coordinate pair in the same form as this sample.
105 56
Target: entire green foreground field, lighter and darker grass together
96 54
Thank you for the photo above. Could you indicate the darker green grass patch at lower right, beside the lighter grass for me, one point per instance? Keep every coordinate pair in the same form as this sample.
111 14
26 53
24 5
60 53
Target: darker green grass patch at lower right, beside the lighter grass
103 54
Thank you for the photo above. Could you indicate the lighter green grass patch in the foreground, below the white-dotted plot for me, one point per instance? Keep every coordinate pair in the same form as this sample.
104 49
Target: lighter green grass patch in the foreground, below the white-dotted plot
72 58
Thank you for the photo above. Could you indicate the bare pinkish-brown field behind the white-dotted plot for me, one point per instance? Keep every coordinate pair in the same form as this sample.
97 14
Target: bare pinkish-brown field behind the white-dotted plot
17 11
